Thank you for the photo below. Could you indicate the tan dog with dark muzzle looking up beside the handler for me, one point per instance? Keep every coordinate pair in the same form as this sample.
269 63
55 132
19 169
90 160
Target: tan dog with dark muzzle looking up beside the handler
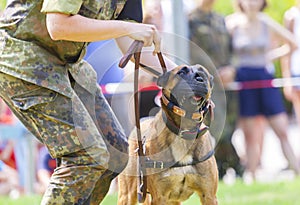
179 156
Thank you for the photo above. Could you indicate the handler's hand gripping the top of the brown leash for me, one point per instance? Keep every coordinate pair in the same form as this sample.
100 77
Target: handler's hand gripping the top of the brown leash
146 33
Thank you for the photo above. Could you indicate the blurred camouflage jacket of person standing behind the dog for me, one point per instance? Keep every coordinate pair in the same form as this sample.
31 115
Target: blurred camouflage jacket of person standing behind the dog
208 31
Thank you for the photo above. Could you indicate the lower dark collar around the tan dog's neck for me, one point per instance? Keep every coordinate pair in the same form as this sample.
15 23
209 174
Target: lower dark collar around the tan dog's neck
185 134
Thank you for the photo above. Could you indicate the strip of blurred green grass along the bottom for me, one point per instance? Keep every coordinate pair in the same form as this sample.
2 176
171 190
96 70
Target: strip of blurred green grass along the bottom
279 193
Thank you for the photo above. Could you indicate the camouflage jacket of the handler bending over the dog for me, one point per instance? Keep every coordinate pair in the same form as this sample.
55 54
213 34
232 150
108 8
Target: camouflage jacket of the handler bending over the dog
27 51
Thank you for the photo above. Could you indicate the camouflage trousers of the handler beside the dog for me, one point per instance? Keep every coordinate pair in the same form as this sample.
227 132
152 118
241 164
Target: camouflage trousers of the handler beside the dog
81 132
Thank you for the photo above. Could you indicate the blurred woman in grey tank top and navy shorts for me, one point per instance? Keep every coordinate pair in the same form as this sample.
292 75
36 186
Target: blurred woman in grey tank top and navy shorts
258 40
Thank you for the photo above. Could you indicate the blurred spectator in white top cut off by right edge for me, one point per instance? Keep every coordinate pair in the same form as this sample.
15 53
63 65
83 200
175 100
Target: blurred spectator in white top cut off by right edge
291 63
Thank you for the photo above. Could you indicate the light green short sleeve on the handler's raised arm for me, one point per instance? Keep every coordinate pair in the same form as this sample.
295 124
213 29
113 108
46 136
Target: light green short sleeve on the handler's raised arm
61 6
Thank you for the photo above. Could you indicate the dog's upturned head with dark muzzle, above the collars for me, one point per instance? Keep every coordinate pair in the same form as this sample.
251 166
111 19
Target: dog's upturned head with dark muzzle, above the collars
187 87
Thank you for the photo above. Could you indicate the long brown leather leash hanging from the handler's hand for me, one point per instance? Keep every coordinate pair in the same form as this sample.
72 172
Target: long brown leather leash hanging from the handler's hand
135 51
